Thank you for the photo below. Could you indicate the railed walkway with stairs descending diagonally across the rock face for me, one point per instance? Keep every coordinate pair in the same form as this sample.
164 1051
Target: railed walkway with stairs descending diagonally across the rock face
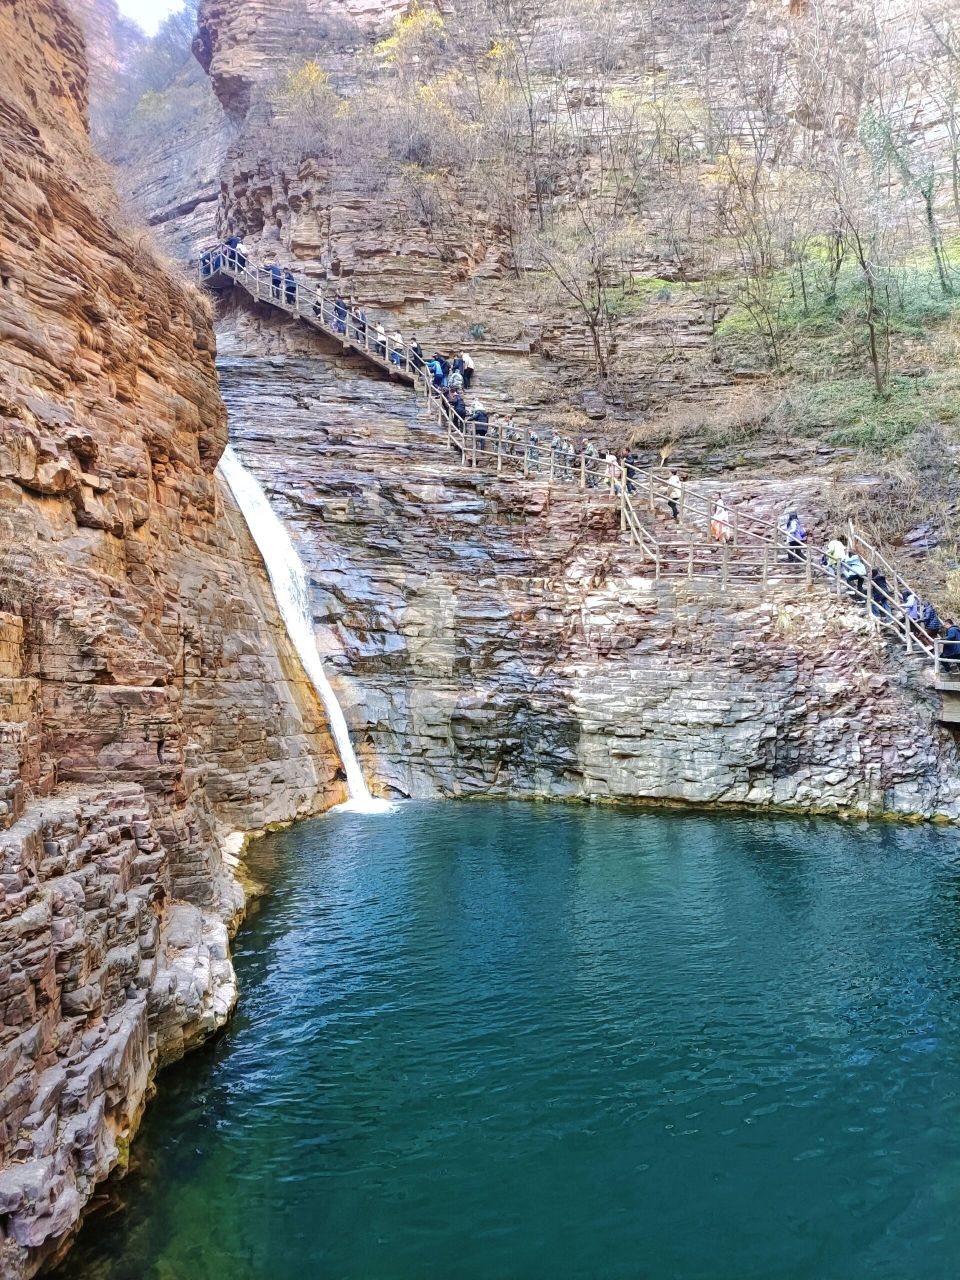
757 551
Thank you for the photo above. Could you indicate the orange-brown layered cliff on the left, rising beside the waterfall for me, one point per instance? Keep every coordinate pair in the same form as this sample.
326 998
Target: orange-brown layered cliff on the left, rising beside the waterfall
150 705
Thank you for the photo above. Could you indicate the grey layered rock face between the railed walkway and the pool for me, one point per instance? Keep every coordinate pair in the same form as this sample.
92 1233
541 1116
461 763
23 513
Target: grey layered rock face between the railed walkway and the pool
495 641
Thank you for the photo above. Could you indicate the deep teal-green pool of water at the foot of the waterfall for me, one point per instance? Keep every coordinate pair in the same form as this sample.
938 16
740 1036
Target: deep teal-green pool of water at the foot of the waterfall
505 1041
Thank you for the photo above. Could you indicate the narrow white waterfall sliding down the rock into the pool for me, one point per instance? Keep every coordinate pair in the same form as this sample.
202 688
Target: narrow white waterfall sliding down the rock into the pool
290 583
